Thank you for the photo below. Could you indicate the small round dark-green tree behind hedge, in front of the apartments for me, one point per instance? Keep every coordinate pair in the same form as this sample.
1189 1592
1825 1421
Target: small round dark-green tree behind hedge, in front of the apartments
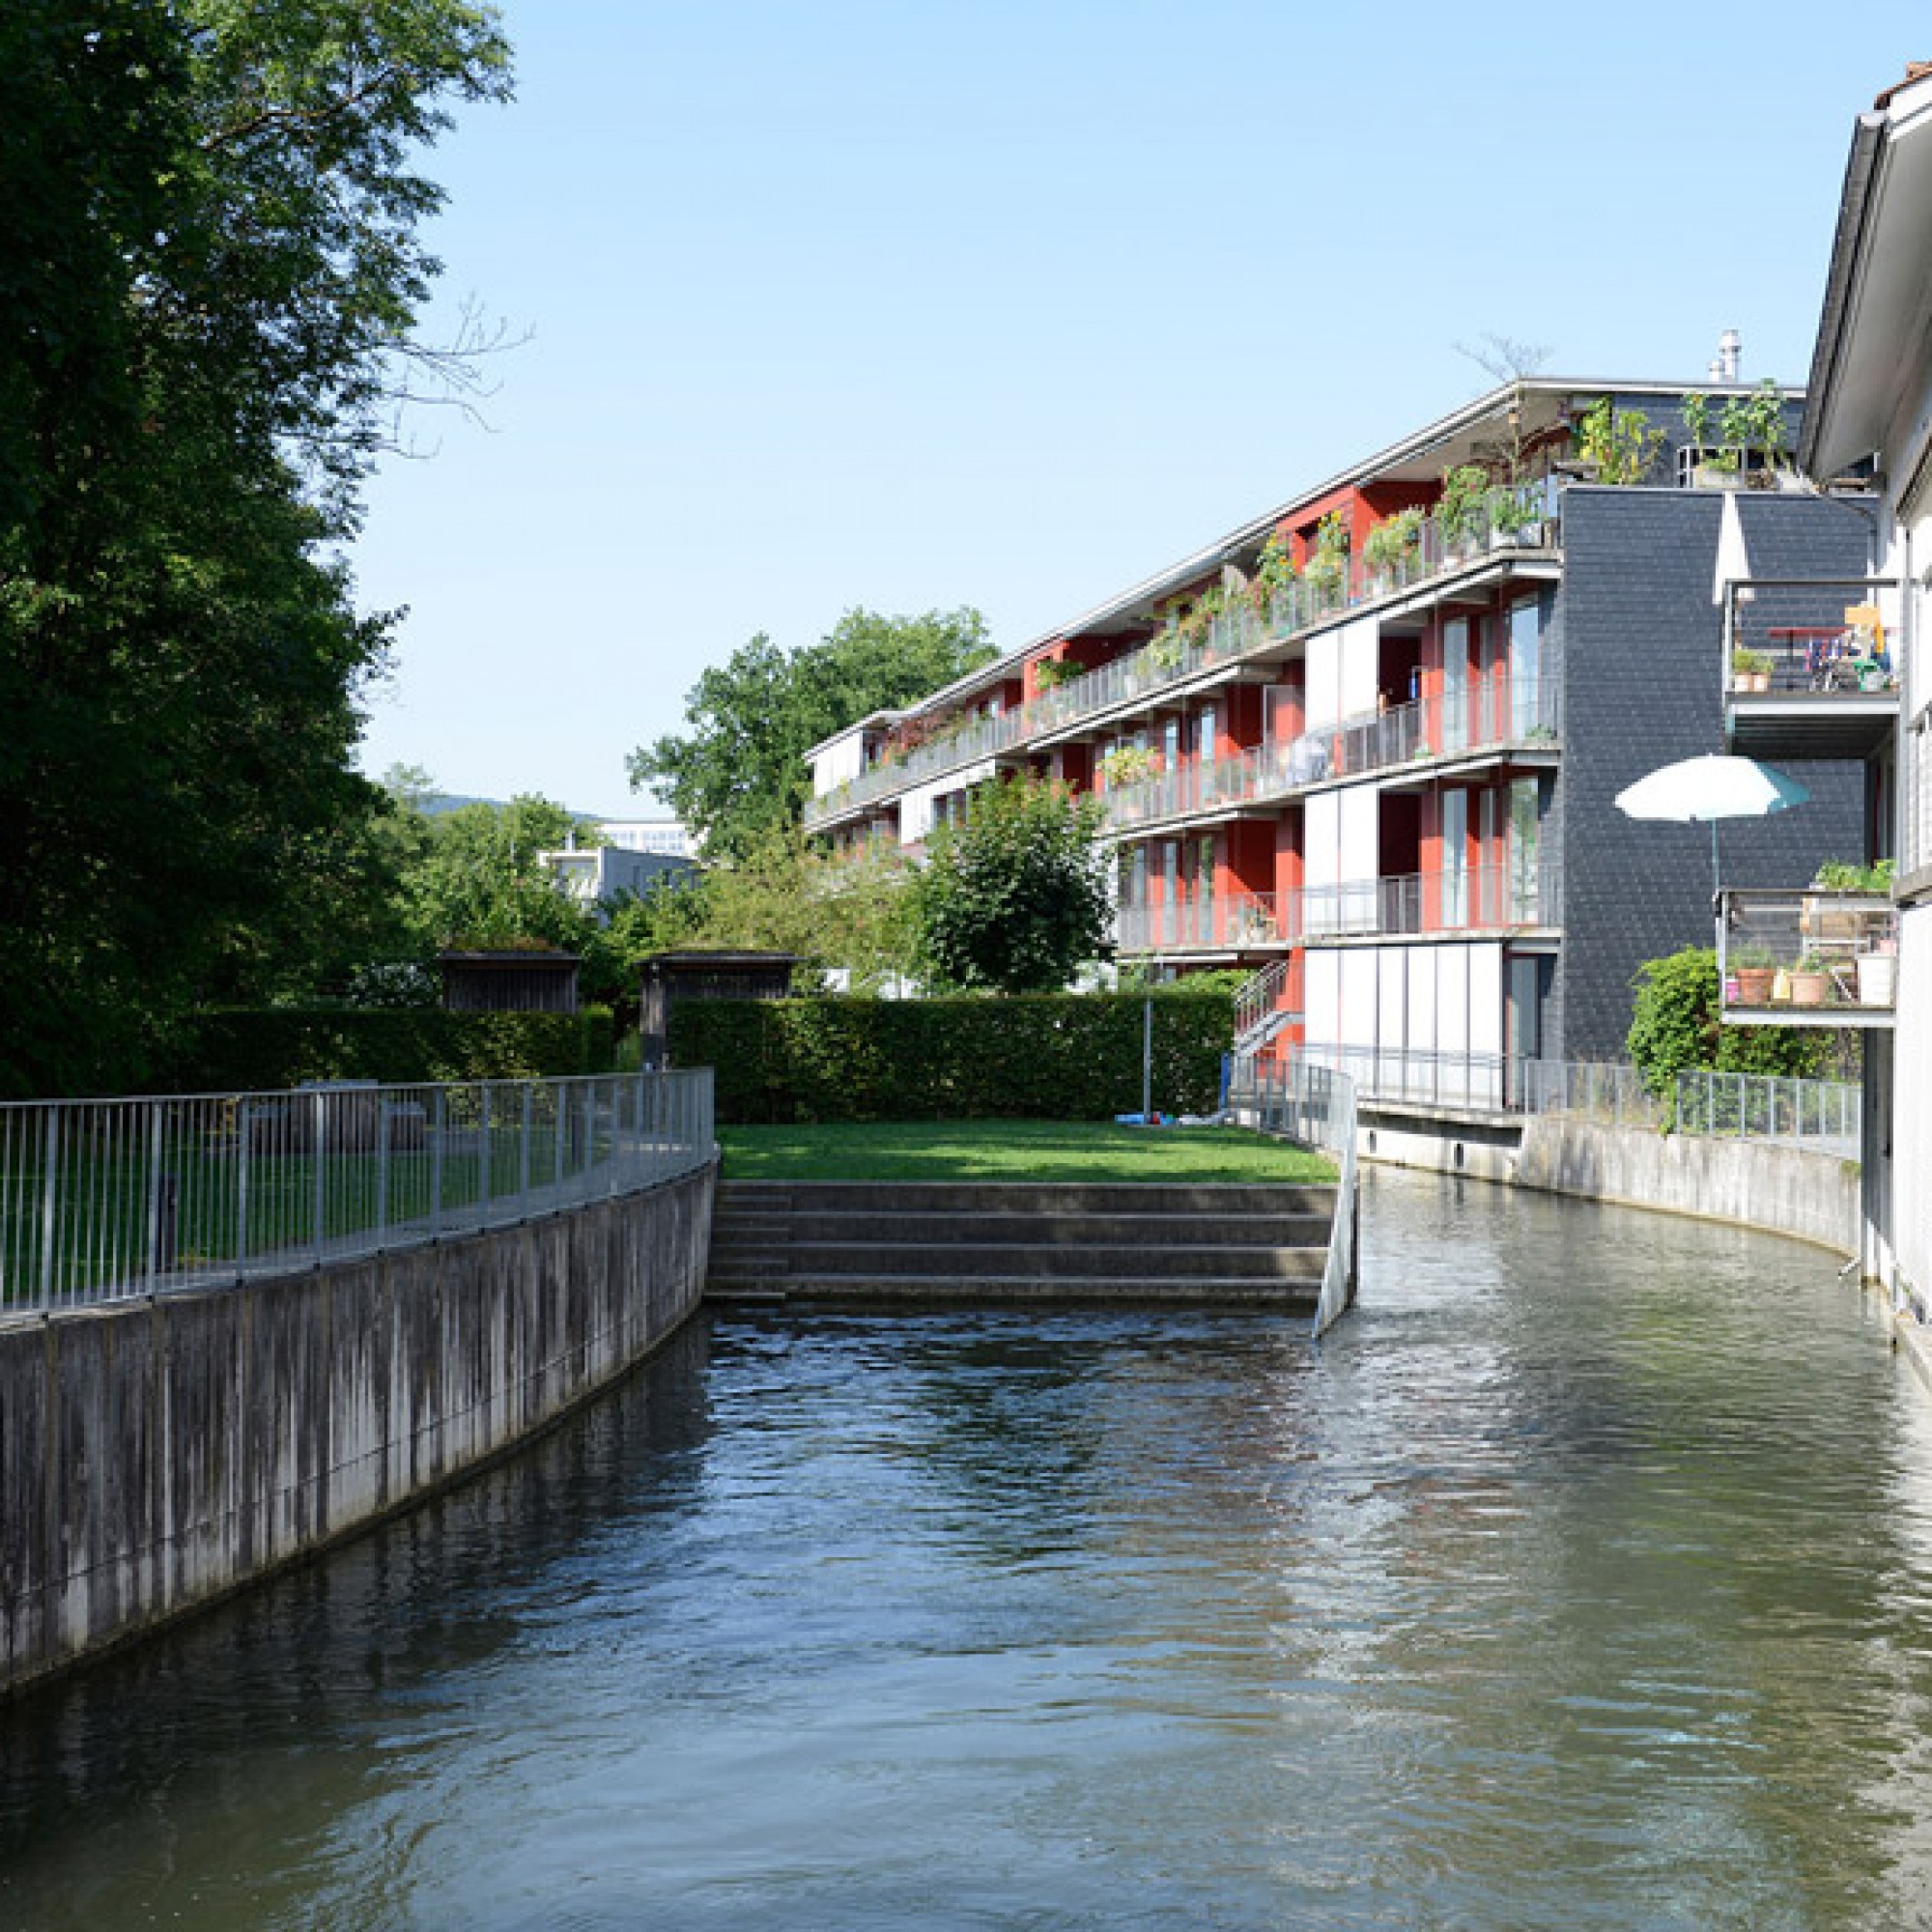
1015 901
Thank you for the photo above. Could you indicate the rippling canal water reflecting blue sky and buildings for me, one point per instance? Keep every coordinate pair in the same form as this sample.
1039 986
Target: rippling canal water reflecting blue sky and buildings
1581 1579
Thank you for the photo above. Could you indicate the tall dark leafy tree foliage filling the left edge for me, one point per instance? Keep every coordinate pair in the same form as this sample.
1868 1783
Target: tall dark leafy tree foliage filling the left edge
210 270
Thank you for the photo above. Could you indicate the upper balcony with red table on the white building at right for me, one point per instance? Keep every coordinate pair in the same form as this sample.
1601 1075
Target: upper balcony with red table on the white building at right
1809 666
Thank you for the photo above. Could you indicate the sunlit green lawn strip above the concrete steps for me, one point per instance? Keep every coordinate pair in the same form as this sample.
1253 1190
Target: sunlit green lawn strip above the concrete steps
1011 1151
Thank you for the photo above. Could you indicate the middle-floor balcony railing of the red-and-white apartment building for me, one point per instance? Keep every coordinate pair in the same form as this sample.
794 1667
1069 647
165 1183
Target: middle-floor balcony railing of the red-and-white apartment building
1483 718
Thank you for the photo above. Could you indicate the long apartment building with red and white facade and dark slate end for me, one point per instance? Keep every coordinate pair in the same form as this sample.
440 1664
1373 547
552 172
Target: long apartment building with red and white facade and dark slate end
1367 747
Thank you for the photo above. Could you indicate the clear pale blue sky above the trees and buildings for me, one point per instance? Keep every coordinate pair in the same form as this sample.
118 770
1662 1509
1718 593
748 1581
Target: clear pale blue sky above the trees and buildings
967 302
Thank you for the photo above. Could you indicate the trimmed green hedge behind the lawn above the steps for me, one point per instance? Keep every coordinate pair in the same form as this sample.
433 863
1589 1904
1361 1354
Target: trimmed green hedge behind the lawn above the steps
1033 1056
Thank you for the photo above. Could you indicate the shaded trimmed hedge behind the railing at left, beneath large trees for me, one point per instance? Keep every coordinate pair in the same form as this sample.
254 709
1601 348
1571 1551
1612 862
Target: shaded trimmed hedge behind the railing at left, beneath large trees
262 1052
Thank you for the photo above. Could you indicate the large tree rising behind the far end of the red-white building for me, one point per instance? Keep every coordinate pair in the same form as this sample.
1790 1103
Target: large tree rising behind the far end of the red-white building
739 770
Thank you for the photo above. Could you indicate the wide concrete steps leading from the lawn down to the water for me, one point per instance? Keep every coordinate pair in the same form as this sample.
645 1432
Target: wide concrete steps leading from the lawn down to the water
874 1241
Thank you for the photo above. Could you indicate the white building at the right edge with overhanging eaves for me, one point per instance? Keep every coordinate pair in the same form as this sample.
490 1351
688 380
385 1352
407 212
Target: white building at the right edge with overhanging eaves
1871 414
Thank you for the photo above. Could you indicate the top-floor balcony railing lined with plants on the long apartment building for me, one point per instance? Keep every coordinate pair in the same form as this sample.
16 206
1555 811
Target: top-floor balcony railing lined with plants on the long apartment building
1525 517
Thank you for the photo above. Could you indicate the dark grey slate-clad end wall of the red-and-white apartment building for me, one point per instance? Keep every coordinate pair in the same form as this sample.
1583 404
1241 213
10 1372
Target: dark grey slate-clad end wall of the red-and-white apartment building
1643 687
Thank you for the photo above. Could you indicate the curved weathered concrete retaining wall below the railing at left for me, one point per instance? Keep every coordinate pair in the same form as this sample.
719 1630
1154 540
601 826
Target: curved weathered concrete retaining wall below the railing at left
156 1456
